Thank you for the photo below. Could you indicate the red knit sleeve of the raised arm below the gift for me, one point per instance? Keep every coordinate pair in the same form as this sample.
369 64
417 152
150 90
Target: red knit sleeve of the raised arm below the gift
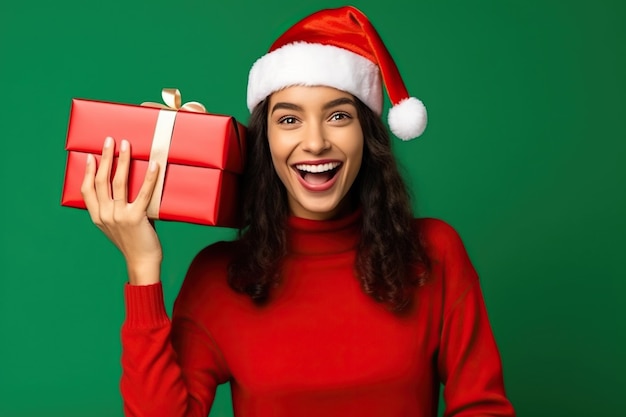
169 369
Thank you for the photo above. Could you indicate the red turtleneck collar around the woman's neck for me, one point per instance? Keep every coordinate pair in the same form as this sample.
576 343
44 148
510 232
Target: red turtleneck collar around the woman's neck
323 237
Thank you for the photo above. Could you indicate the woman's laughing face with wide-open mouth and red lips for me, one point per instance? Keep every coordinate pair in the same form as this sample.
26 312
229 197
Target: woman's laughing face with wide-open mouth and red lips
316 142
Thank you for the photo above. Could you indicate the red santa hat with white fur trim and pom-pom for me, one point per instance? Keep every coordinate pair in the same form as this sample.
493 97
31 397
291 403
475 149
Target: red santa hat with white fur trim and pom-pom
338 48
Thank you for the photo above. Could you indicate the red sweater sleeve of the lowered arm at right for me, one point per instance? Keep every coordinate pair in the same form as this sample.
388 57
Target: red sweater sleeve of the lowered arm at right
469 362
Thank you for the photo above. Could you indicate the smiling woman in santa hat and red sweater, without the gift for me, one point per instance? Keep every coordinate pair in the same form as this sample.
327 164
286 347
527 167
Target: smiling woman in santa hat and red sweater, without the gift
333 301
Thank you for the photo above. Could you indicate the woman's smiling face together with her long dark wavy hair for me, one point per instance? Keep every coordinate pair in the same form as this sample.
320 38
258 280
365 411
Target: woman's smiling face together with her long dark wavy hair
368 182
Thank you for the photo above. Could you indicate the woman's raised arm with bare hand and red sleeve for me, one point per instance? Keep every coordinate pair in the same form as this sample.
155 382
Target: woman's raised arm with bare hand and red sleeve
167 370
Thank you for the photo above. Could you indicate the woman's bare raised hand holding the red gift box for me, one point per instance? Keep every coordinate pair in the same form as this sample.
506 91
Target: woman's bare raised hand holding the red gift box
125 224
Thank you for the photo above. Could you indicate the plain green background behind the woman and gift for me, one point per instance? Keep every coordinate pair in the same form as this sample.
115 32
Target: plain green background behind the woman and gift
524 154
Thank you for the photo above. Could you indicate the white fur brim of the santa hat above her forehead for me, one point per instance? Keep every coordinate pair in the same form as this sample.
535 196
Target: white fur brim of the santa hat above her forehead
311 64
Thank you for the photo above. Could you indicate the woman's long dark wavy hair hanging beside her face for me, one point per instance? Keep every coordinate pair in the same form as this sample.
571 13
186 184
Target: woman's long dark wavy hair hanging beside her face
390 260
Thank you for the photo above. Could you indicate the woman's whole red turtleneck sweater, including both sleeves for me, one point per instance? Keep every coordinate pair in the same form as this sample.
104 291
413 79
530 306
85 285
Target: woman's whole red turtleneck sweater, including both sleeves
321 347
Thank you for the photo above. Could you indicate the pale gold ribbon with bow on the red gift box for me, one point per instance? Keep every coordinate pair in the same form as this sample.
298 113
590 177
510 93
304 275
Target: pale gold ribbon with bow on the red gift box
163 136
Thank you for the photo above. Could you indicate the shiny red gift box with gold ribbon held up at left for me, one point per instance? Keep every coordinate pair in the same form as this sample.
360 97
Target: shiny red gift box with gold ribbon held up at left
204 160
